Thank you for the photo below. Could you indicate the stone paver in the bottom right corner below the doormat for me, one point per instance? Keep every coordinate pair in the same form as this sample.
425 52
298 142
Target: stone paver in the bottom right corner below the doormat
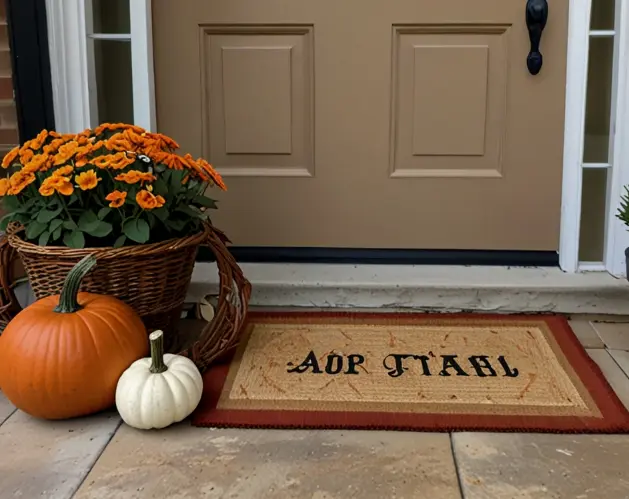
538 466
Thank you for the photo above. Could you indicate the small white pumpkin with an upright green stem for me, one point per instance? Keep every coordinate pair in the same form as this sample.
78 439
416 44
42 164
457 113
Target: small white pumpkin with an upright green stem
158 391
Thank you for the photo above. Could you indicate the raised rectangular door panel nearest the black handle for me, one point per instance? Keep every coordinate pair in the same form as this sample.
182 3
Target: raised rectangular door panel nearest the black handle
449 101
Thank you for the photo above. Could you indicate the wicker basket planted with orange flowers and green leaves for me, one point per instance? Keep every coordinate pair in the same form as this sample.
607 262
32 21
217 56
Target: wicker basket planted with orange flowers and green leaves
126 196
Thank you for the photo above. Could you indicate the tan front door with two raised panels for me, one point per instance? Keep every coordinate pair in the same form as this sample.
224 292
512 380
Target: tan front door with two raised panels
369 123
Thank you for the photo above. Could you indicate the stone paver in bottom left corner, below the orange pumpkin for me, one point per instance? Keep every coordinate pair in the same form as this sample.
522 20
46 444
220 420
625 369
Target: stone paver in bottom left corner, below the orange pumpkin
50 459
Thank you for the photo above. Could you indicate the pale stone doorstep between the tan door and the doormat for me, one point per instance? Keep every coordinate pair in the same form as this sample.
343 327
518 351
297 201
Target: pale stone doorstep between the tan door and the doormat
425 287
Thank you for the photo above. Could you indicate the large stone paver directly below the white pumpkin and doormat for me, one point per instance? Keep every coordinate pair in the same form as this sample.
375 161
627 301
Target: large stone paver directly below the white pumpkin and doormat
186 462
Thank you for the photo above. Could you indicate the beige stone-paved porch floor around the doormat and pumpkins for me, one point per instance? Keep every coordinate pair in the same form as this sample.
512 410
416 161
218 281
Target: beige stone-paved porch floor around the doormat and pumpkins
98 457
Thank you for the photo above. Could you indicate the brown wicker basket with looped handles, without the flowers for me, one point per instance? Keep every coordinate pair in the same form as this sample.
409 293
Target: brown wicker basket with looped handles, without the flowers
152 278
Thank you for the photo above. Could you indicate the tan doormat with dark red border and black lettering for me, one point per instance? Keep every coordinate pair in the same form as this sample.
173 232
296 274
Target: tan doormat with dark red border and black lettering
410 372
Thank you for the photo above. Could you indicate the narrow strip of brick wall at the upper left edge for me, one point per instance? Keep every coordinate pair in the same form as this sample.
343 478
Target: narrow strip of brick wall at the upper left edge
8 117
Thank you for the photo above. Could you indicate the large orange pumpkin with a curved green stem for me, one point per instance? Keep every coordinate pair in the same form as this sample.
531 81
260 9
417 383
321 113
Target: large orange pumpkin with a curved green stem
62 356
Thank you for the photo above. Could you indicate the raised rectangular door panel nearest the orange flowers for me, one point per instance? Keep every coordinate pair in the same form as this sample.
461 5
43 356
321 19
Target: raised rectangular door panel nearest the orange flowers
258 100
